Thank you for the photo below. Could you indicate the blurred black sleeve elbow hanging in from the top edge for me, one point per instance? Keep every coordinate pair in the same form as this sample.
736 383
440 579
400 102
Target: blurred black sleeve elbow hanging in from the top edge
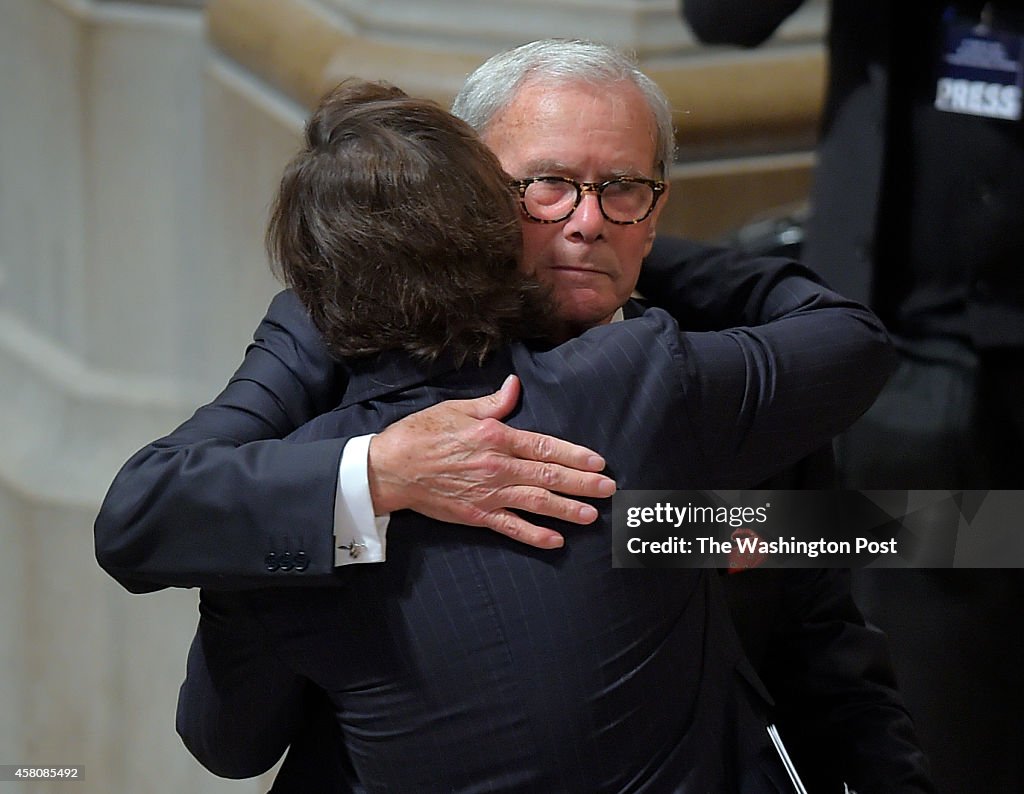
737 22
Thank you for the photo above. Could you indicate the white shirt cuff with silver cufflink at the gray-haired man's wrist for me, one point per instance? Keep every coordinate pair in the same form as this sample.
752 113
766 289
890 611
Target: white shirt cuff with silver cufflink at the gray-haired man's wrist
359 535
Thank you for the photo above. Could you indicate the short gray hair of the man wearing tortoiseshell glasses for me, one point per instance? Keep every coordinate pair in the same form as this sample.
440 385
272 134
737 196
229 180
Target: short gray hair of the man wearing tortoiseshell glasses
495 85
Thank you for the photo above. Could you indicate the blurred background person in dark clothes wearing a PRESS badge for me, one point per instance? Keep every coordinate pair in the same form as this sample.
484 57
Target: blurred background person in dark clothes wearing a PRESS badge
917 210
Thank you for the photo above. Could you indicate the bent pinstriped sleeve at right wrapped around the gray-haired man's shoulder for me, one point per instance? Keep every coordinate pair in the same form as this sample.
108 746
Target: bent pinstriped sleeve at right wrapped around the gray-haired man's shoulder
759 398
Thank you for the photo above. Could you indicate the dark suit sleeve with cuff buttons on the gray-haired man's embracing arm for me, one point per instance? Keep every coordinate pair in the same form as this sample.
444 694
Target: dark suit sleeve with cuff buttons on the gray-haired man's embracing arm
223 503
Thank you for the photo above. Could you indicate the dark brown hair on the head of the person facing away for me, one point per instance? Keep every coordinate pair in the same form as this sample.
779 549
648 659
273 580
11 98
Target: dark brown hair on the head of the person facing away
397 229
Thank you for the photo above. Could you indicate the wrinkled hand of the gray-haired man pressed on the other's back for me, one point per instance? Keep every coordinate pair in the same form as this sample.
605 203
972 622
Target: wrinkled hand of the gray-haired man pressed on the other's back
457 463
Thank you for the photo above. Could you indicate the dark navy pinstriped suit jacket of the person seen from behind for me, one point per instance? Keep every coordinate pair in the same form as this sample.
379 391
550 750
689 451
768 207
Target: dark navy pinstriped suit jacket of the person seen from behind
470 663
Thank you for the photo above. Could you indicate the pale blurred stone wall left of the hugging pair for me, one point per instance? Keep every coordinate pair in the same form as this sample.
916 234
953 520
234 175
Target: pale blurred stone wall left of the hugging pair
135 175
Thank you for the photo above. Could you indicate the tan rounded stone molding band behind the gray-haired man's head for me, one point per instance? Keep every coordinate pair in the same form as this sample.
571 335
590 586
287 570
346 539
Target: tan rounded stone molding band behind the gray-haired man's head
738 104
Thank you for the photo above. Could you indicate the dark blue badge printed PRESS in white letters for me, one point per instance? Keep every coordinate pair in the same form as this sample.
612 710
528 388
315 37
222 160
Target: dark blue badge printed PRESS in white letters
980 71
